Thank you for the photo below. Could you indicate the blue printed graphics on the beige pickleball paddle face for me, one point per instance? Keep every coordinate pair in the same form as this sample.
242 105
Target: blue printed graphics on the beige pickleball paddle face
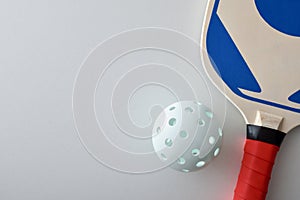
284 16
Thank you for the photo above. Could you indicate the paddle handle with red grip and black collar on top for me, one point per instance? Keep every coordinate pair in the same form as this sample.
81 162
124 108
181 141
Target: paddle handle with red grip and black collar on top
260 152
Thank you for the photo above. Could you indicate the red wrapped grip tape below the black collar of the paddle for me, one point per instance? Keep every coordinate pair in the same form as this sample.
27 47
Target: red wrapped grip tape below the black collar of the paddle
256 169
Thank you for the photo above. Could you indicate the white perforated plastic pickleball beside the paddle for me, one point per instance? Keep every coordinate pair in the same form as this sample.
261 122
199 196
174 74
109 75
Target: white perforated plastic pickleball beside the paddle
187 135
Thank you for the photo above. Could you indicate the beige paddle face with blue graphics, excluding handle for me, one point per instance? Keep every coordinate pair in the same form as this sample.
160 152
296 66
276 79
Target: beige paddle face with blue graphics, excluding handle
253 47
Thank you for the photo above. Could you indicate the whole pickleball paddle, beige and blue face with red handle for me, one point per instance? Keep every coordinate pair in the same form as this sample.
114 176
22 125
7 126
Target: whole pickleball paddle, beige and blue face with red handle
252 51
